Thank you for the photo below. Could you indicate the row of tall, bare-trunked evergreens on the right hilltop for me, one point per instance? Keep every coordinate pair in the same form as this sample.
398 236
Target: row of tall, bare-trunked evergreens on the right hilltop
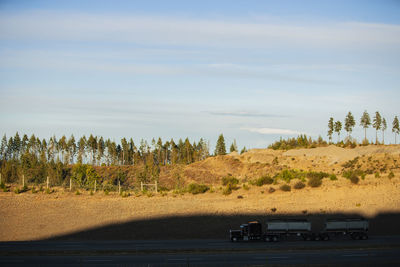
378 123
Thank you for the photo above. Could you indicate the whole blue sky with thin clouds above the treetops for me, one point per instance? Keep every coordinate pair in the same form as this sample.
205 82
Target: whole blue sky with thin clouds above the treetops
252 70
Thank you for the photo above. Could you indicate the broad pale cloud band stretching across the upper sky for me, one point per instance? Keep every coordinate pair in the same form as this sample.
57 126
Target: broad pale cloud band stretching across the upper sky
183 31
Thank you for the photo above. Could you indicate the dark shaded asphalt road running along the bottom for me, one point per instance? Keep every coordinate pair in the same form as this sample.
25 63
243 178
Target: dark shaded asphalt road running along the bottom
377 251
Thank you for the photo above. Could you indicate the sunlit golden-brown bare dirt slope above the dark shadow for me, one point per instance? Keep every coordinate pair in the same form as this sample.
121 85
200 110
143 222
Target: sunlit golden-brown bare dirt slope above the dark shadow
30 216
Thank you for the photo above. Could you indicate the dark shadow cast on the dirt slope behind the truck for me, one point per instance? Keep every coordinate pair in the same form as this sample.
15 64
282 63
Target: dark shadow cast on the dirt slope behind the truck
207 226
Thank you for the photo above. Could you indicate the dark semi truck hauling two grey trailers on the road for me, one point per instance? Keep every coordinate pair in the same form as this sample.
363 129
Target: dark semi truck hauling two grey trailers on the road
276 230
